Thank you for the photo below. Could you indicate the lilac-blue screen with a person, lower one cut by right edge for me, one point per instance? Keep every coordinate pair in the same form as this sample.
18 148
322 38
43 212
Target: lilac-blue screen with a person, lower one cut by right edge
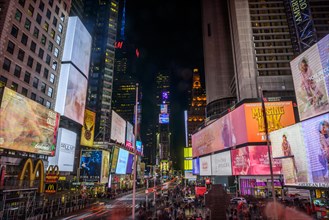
316 135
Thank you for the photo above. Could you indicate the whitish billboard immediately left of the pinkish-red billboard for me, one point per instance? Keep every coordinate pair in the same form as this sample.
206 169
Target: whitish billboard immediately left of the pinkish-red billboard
221 164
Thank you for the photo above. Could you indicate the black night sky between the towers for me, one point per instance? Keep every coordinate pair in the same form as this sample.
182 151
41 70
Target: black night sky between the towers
169 36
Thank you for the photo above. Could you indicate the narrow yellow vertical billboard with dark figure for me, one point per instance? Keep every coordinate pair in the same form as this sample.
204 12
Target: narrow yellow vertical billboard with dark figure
88 129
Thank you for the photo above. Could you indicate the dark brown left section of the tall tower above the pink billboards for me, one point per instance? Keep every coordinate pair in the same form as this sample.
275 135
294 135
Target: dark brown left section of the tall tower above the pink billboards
218 61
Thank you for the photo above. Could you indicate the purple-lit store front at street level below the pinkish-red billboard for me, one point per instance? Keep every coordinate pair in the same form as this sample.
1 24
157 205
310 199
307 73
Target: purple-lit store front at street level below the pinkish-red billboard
260 187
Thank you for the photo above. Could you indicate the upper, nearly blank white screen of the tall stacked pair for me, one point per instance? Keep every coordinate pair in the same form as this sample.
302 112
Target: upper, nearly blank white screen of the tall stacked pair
77 48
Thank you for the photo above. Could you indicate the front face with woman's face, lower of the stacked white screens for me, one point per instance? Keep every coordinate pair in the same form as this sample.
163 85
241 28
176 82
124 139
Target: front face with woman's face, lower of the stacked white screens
76 96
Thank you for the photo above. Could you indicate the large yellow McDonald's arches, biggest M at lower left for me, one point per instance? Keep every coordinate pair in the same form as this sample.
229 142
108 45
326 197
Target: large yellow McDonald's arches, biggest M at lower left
34 172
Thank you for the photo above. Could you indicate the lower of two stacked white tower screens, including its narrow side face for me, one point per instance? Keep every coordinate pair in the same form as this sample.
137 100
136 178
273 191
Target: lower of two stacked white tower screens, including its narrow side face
71 93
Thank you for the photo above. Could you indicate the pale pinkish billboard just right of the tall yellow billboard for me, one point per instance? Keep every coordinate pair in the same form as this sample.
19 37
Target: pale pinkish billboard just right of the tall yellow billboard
118 128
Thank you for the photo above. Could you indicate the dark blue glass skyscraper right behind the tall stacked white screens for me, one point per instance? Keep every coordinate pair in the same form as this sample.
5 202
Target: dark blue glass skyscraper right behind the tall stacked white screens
101 21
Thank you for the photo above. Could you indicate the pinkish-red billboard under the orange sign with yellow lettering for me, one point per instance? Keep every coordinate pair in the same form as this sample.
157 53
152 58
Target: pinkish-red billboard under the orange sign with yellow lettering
253 160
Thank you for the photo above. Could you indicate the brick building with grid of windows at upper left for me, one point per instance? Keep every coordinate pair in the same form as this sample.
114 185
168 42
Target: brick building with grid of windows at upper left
32 39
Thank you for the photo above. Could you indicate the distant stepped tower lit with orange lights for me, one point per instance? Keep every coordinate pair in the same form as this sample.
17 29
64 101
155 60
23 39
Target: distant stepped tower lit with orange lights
196 112
